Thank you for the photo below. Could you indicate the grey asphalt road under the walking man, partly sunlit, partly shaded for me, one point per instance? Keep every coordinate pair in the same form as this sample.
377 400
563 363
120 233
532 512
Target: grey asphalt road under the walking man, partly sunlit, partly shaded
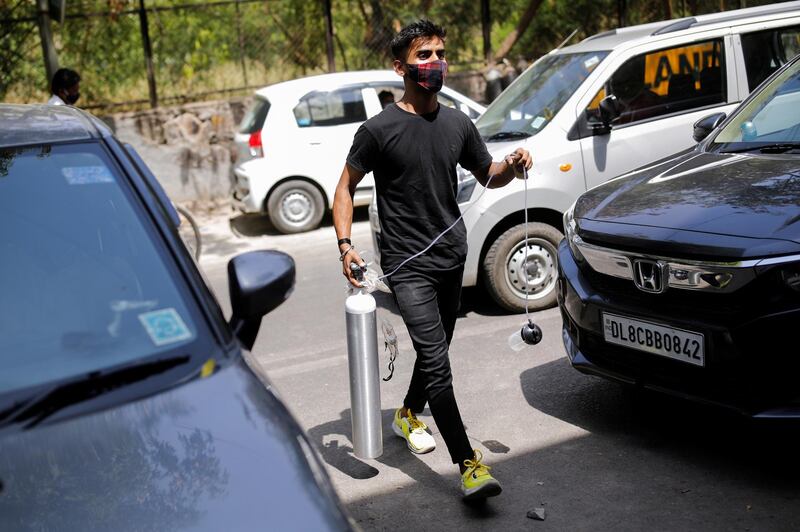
595 455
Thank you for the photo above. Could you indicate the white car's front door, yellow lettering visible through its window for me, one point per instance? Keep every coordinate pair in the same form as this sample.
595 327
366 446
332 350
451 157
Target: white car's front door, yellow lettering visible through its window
661 92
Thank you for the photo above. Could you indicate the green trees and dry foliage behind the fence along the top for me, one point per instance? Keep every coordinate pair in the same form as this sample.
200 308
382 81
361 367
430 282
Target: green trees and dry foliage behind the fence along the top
204 48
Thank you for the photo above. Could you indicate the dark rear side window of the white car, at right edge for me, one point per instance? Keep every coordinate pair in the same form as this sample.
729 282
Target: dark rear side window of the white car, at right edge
766 51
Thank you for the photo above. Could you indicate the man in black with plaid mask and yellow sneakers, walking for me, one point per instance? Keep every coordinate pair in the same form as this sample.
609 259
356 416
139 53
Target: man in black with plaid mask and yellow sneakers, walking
413 147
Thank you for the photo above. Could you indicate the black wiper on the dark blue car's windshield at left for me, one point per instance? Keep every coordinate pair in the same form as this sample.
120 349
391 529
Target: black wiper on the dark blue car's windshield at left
36 409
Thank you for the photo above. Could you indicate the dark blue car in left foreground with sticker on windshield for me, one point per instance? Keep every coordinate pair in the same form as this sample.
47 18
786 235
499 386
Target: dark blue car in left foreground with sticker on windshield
126 402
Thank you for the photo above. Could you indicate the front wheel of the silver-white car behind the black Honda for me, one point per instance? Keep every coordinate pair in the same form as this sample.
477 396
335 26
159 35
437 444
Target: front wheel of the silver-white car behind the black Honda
510 278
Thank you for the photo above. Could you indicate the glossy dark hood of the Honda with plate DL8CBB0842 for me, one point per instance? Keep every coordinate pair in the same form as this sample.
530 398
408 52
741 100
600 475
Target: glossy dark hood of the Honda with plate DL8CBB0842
734 204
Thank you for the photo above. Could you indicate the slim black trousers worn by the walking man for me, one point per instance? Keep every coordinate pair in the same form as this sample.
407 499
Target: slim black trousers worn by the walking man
429 305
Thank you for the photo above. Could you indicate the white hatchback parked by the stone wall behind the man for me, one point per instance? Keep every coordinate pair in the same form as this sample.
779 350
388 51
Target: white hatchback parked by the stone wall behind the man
294 139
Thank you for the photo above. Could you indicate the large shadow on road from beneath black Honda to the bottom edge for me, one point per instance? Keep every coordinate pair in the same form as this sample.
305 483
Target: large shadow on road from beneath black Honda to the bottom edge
636 461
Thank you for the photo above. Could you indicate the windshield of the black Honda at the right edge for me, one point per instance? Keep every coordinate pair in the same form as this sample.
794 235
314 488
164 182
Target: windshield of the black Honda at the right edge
770 121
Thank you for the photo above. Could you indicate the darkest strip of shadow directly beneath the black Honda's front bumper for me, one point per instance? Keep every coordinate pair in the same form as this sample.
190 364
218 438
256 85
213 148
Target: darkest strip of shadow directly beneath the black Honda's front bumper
706 436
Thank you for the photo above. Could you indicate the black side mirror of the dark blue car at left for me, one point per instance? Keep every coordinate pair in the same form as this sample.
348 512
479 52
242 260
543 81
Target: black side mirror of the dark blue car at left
258 281
